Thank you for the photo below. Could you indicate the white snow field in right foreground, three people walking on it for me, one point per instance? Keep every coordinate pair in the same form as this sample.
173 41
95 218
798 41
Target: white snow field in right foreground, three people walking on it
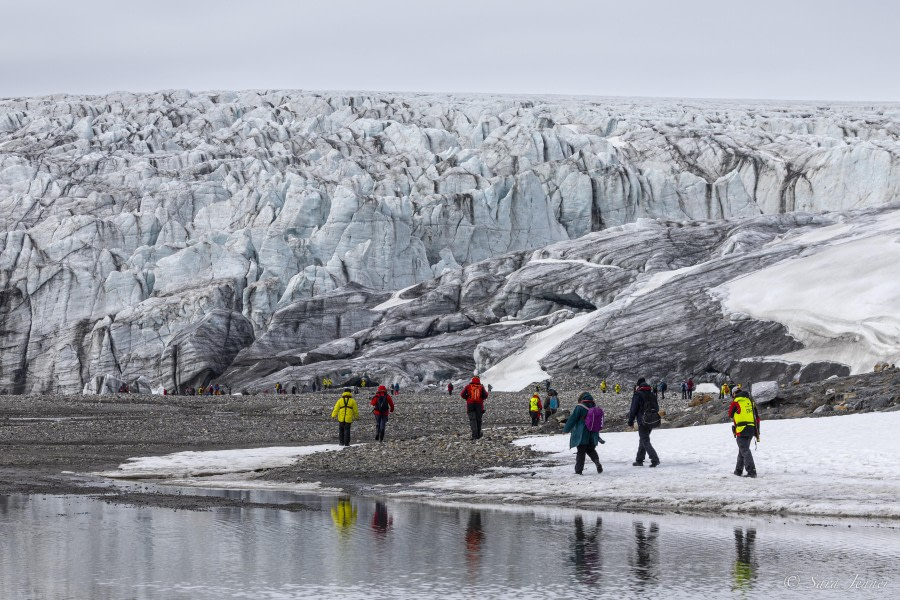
843 466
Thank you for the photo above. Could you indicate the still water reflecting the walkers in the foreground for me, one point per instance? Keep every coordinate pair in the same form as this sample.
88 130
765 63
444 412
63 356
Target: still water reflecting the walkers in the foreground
341 547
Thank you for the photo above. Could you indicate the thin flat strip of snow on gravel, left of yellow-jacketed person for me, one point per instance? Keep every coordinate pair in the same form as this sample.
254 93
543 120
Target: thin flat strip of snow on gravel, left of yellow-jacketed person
214 462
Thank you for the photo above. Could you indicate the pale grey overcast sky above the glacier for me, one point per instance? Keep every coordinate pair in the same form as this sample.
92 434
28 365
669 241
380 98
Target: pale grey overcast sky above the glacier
785 49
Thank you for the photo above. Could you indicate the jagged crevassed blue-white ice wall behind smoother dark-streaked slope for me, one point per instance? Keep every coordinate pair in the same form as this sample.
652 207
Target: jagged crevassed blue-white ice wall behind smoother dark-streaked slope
129 219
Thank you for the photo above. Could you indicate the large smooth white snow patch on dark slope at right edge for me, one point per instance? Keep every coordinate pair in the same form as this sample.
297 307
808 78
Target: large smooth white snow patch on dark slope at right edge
840 296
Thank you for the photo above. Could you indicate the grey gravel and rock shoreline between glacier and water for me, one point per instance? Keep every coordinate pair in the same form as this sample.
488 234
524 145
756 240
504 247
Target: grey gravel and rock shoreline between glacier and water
52 443
